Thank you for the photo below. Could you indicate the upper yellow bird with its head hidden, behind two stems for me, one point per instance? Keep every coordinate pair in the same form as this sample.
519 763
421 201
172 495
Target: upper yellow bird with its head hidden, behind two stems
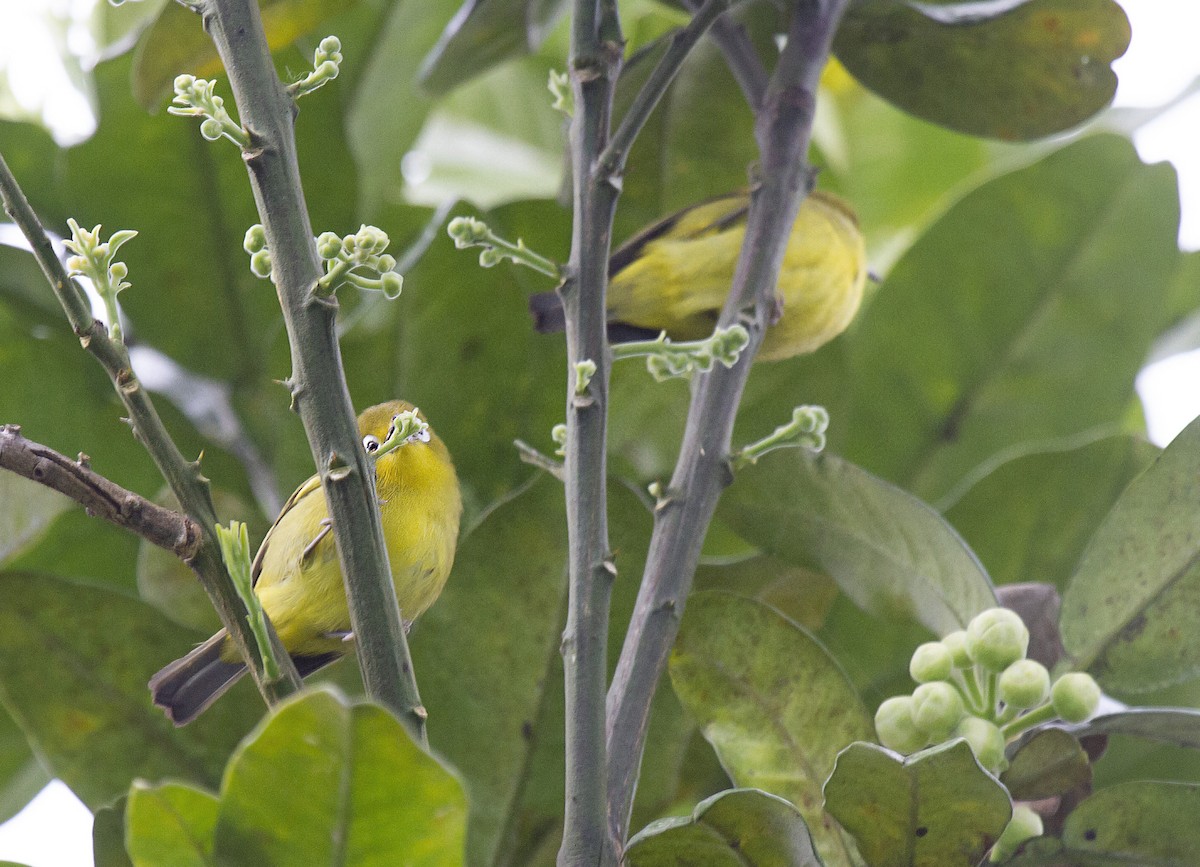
675 277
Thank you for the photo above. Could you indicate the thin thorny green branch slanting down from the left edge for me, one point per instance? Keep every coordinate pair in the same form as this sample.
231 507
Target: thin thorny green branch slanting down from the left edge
183 476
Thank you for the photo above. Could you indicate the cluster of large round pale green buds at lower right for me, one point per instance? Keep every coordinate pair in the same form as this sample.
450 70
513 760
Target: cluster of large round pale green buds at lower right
979 685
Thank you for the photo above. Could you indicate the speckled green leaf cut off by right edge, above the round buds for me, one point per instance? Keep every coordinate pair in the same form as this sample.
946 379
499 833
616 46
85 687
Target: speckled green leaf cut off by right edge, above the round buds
1133 605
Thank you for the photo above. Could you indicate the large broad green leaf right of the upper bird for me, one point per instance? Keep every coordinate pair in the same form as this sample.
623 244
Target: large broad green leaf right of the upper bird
963 357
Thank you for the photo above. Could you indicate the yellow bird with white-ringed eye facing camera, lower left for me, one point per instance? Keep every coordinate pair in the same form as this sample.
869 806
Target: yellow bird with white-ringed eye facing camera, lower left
298 577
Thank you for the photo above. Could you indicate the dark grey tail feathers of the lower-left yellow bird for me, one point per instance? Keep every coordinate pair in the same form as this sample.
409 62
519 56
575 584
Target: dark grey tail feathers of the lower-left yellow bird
187 687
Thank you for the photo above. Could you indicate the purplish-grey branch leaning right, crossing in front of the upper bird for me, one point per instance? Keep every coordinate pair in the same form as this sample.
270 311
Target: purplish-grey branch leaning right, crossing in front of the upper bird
783 129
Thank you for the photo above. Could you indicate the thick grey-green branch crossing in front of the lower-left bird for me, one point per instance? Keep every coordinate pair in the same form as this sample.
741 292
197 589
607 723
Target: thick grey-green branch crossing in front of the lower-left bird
319 385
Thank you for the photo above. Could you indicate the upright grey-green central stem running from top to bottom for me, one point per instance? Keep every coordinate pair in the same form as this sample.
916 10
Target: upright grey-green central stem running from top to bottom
593 65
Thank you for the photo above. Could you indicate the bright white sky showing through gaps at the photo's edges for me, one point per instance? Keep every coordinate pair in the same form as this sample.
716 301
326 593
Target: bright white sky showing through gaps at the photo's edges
56 829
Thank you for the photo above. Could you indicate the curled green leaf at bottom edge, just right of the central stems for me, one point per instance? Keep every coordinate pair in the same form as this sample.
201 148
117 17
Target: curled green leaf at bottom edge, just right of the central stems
740 828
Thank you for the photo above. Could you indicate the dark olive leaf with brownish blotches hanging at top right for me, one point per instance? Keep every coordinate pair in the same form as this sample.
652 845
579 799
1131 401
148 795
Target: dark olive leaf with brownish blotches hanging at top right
1017 70
